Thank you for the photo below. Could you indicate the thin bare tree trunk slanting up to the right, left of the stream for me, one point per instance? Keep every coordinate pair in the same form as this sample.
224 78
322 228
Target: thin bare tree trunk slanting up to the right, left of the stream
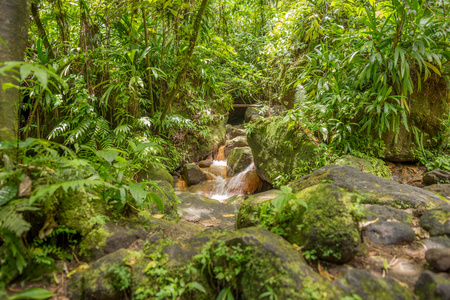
187 59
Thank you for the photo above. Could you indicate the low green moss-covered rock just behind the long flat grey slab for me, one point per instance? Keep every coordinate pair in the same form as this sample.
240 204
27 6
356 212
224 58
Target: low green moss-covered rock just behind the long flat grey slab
373 165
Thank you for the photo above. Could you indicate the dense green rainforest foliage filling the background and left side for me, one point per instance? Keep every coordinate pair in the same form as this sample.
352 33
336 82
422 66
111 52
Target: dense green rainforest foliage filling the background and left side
110 87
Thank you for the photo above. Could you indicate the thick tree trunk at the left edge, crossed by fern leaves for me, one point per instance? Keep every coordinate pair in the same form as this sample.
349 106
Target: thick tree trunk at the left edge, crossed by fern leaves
14 16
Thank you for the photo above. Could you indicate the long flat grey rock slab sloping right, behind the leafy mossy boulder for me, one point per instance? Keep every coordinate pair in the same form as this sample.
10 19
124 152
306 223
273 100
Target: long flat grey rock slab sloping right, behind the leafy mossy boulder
372 189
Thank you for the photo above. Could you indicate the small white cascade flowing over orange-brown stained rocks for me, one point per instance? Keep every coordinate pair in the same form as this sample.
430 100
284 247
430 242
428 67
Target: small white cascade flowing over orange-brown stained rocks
219 186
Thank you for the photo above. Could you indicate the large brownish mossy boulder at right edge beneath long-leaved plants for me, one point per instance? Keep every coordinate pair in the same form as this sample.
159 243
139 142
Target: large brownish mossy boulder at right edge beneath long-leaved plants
428 108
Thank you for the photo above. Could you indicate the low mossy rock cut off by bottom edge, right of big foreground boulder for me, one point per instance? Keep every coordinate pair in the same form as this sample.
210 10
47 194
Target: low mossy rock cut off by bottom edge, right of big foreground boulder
370 287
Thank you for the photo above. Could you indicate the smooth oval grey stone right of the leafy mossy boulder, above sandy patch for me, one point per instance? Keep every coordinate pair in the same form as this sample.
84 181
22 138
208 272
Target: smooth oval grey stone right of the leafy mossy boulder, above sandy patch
389 233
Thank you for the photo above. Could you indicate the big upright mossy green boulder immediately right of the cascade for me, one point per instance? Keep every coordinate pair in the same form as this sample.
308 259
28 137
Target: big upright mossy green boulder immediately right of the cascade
279 149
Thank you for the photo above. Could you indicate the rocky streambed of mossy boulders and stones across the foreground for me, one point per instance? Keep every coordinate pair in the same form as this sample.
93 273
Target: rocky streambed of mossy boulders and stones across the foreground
361 237
